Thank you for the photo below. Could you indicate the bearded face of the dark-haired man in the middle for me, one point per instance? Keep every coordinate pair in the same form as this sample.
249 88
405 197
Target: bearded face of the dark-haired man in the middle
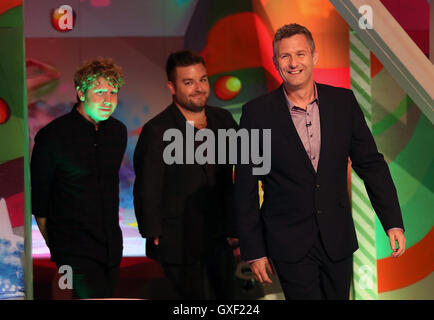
191 88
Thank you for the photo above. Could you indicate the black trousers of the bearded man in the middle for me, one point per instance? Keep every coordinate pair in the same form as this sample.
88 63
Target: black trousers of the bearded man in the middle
211 278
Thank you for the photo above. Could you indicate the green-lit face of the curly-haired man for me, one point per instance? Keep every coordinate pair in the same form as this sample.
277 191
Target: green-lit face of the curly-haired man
100 100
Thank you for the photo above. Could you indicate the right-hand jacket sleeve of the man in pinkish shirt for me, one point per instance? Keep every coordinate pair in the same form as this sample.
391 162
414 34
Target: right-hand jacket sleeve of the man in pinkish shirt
371 167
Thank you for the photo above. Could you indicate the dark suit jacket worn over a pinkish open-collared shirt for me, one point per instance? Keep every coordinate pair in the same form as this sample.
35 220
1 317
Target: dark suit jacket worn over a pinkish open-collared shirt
299 202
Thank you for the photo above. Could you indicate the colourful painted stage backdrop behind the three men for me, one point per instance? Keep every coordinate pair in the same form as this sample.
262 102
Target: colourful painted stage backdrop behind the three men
235 39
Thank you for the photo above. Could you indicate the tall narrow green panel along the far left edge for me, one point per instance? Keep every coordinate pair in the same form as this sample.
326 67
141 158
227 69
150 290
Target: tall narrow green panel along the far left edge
16 143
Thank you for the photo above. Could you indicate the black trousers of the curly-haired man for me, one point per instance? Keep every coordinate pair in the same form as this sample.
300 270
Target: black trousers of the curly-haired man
90 278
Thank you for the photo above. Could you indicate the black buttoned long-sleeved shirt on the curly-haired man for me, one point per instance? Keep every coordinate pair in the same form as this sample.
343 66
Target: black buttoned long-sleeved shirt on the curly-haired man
75 185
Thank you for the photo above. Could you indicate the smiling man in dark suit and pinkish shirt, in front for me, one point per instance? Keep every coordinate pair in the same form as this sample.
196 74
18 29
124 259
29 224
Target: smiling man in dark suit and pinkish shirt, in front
305 224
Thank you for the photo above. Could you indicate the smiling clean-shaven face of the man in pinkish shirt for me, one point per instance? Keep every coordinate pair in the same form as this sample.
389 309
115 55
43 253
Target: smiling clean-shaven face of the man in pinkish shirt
295 60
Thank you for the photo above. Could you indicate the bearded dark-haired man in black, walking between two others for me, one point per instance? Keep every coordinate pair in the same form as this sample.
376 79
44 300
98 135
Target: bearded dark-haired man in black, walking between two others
185 210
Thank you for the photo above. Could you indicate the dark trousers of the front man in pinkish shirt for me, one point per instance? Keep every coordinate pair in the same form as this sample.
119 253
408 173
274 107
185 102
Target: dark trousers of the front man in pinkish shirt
316 276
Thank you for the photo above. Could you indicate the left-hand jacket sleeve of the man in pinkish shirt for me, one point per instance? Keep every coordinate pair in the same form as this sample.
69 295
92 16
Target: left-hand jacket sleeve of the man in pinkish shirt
249 223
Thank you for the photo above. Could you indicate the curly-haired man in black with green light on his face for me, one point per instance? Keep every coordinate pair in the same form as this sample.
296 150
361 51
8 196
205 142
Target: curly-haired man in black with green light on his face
75 182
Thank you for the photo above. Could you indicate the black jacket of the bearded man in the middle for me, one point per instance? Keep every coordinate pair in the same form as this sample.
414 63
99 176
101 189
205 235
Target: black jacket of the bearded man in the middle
189 206
